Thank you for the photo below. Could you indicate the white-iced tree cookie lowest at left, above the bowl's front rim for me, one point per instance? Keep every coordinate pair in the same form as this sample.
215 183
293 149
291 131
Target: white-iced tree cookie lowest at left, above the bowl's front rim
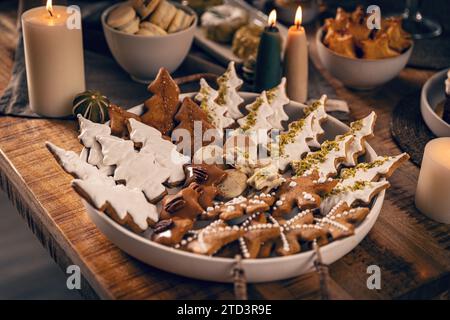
125 206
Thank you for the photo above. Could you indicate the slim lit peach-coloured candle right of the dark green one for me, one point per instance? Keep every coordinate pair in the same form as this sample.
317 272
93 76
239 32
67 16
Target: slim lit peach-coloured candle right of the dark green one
296 61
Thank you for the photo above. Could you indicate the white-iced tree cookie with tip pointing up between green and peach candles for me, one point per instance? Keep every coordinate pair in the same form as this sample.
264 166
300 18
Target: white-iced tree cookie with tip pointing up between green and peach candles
277 99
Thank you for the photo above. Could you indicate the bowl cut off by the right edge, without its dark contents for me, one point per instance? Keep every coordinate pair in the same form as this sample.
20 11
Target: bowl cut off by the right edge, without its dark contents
433 92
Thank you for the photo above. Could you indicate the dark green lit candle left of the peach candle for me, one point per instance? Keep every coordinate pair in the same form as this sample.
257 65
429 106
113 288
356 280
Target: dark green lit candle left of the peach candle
268 62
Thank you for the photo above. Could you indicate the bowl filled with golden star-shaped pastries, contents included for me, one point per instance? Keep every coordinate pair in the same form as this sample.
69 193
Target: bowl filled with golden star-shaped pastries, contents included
360 57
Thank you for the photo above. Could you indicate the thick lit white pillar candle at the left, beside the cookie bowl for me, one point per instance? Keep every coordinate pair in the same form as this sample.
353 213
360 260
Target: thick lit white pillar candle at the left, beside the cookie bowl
54 60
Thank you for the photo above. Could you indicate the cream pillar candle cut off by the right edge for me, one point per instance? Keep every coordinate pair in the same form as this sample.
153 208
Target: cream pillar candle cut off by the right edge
433 188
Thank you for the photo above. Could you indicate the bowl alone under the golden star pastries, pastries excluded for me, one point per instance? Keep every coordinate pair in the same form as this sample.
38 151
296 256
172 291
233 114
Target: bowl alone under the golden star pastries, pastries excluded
362 74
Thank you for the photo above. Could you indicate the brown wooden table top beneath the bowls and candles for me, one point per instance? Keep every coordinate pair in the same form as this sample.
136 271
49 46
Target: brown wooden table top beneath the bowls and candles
412 251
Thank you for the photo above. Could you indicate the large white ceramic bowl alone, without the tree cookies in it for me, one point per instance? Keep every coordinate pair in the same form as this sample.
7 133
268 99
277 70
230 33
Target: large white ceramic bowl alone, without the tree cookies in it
217 268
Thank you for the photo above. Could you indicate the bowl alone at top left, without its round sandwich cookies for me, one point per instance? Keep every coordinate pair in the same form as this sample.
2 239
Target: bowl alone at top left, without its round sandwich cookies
142 56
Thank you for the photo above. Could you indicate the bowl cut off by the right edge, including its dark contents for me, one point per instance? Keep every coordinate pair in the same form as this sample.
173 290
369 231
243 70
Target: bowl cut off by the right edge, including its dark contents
435 103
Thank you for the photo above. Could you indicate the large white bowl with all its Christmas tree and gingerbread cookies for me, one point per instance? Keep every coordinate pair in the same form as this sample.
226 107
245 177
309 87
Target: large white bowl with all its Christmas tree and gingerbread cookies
191 207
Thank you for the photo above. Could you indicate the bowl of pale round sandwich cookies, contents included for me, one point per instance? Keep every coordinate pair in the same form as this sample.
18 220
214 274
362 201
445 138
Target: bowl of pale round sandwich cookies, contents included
143 35
